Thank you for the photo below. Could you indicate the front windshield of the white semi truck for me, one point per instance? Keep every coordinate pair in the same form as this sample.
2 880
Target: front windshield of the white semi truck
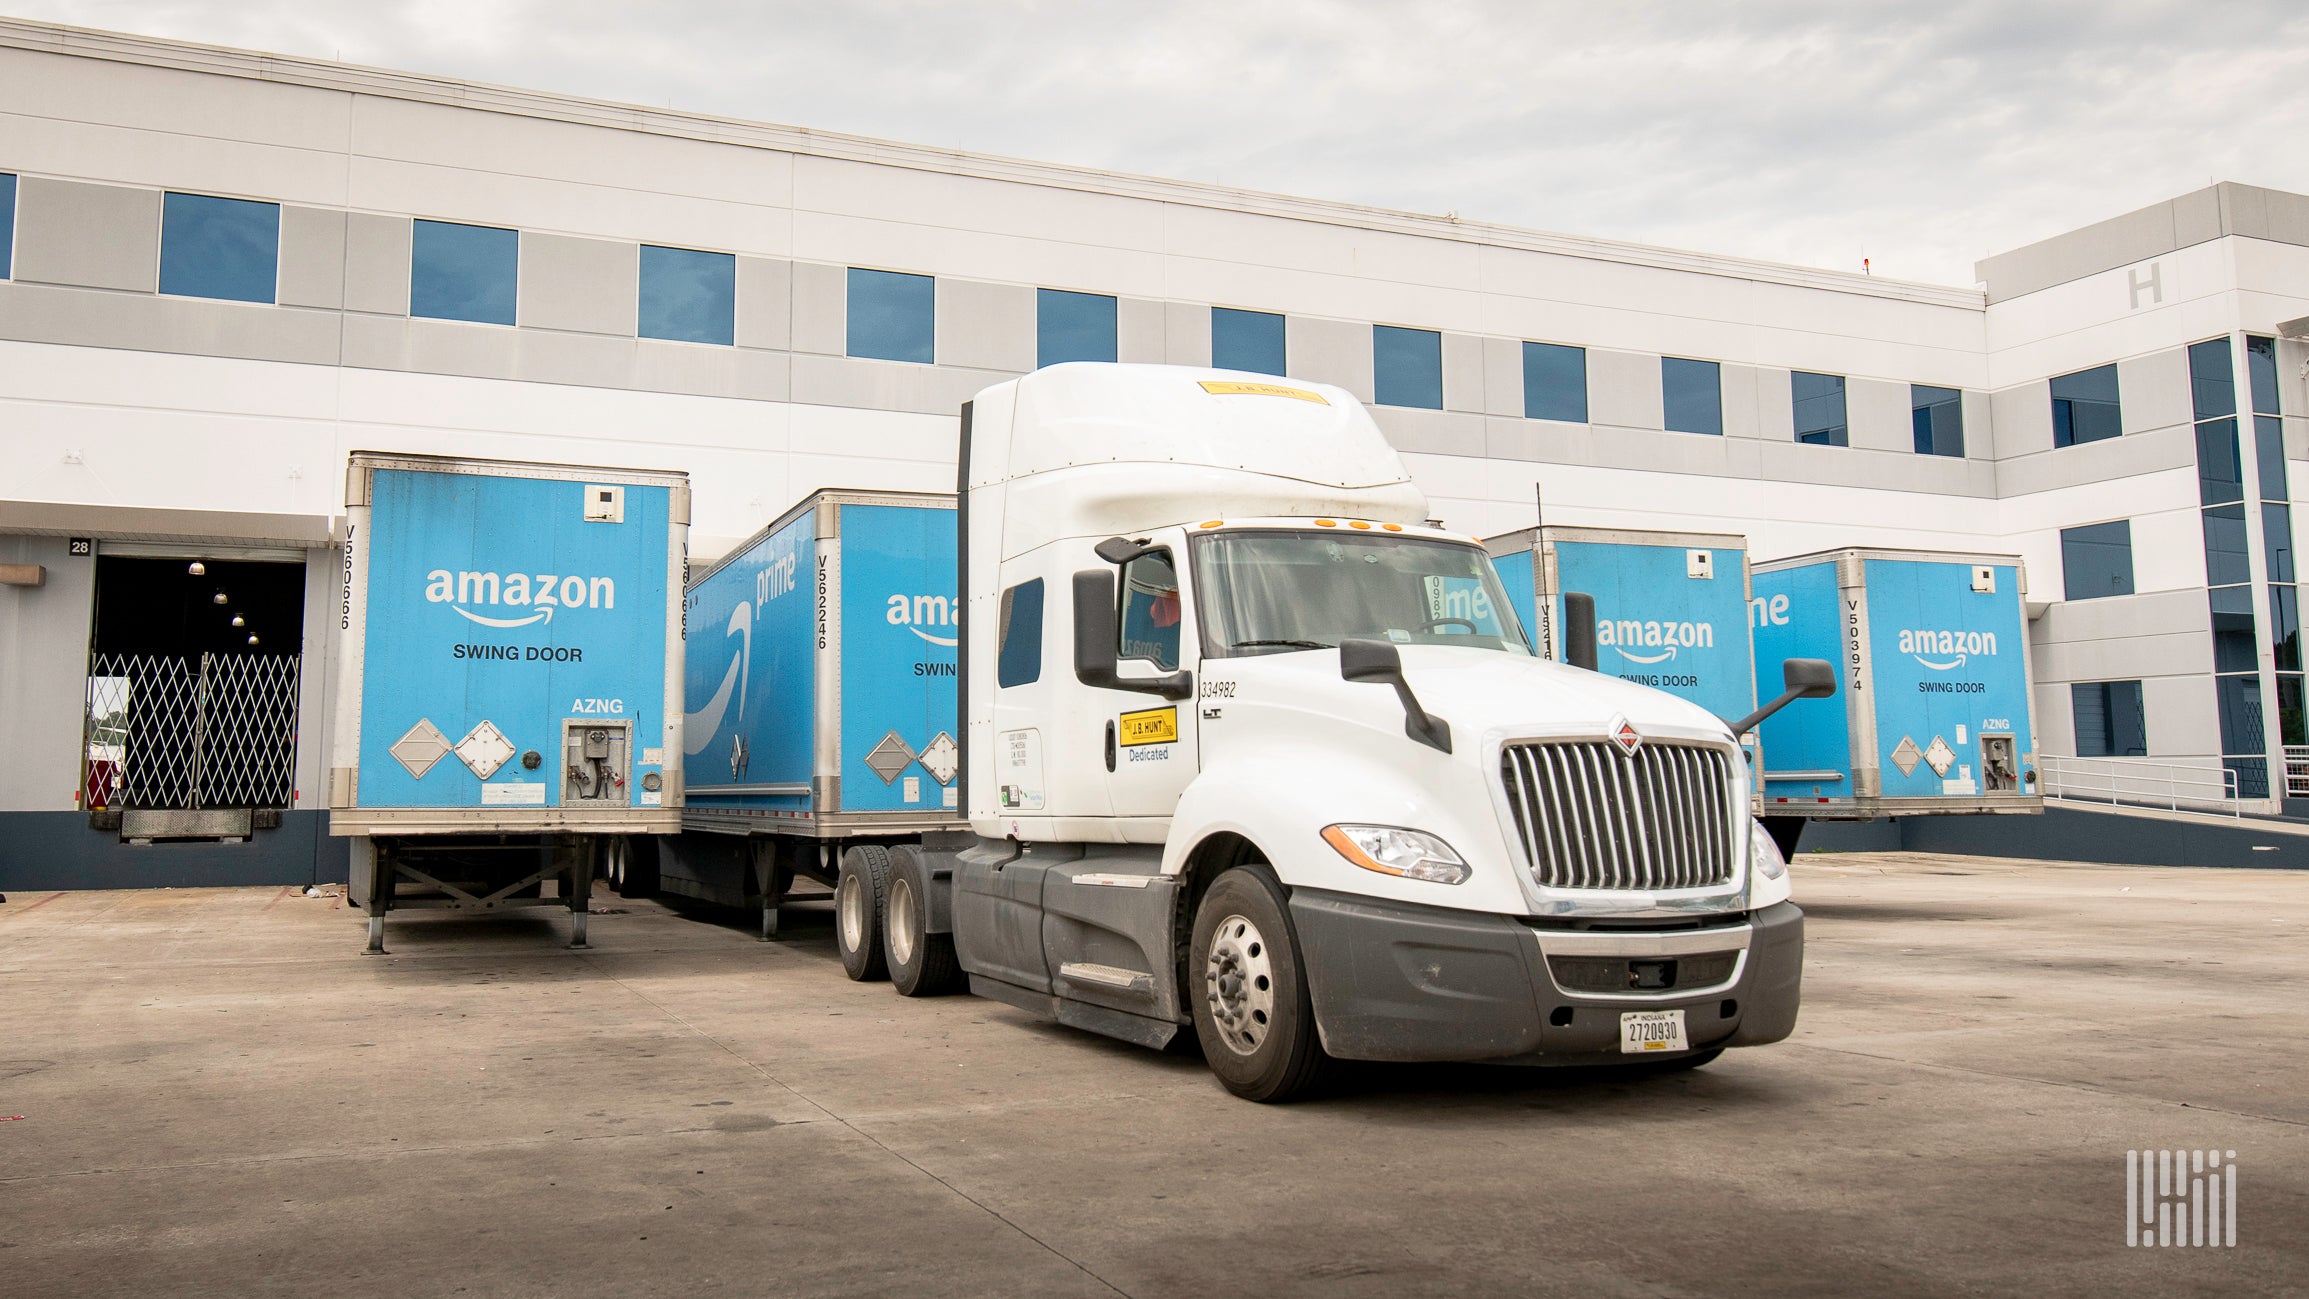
1280 592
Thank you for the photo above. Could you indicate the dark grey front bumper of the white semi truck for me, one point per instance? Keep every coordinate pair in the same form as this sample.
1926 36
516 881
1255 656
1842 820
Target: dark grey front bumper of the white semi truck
1407 984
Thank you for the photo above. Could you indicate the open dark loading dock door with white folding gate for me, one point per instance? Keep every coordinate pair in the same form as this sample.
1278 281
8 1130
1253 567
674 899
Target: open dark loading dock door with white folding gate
193 689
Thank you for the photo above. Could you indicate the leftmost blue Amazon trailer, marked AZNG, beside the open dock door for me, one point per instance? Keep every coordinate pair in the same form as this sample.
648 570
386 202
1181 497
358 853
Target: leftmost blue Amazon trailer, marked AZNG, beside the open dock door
509 661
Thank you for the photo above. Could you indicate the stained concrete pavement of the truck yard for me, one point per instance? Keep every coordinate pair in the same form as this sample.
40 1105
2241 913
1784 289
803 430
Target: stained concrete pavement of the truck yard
223 1097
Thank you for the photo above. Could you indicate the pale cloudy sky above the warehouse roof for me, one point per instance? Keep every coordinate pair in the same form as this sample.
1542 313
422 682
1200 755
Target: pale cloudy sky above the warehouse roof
1922 137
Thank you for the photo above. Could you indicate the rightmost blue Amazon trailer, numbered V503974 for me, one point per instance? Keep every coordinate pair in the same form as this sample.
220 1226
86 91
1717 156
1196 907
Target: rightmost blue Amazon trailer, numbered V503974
1936 707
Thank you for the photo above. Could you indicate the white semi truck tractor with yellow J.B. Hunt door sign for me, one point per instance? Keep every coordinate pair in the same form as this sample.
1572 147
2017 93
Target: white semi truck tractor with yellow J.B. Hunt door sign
1257 751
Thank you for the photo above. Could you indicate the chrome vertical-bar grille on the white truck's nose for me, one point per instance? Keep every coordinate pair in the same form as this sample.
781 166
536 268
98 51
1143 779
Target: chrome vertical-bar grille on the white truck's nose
1592 818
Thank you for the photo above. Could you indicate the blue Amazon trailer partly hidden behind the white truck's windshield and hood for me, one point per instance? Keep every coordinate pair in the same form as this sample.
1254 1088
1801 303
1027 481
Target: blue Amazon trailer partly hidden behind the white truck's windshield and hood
1671 608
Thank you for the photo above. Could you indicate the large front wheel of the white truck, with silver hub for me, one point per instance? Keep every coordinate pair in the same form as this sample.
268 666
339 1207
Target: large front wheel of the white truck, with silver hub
1253 1009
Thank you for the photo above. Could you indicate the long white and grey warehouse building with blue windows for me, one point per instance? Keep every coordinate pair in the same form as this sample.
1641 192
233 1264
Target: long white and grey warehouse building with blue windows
225 271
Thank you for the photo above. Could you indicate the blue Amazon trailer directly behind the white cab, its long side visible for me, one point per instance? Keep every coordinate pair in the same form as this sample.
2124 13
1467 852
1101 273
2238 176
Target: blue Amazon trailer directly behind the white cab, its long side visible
821 703
